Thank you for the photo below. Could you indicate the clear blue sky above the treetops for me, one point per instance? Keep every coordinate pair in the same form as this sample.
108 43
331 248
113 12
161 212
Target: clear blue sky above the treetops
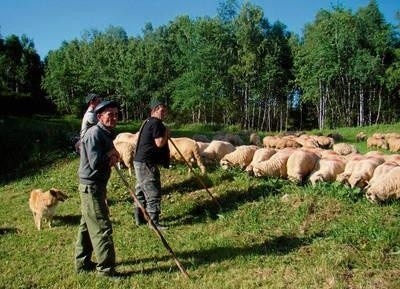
50 22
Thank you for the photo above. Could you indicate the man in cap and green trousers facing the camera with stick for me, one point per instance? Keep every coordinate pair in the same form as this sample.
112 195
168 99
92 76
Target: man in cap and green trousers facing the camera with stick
98 156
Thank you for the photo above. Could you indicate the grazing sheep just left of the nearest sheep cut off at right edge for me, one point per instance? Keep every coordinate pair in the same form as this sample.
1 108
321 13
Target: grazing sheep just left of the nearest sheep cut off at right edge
363 171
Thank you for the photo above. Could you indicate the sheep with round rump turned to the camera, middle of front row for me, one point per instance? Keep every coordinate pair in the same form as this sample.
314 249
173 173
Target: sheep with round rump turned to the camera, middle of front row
300 164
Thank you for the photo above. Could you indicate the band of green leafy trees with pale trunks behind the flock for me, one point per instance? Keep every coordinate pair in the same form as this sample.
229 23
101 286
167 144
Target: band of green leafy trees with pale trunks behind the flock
233 69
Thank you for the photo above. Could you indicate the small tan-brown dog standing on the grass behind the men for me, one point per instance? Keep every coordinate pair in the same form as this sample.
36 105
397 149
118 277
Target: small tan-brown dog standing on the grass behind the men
43 205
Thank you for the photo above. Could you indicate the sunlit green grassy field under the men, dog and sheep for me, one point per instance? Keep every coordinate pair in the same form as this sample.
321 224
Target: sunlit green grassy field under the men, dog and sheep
269 234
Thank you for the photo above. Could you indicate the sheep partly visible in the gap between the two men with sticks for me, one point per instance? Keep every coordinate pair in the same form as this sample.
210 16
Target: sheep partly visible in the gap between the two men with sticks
125 144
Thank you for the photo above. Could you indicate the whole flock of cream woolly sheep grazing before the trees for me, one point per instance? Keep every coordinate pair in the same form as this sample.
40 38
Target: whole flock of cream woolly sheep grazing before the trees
298 157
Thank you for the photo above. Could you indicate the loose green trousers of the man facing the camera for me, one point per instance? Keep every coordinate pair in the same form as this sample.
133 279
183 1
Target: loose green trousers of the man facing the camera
95 230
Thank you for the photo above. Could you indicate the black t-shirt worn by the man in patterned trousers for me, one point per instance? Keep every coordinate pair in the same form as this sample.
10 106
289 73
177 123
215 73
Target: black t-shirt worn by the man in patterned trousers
147 151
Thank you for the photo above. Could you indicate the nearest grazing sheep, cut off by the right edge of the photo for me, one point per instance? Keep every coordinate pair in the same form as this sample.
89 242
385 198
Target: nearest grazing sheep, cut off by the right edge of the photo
387 188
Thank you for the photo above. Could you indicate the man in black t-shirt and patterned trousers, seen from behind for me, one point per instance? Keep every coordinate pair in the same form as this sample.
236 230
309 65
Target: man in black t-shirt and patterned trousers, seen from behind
151 151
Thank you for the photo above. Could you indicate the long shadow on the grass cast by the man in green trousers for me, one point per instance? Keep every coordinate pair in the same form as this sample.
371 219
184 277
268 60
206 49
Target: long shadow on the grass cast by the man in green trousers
277 246
